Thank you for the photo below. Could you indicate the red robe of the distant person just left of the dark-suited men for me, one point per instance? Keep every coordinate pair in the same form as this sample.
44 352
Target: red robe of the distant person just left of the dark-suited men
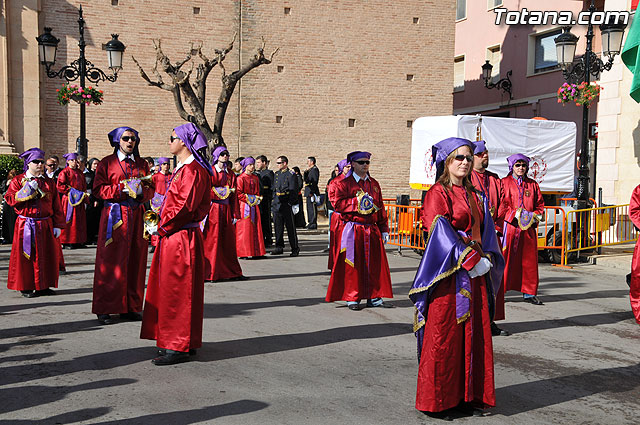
249 239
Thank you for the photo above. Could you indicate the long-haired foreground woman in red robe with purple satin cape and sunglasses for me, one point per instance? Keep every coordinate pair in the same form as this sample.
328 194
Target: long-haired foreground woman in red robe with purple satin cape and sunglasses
452 301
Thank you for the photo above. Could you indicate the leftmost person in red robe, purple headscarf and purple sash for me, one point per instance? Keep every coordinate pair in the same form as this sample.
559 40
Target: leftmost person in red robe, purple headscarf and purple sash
34 260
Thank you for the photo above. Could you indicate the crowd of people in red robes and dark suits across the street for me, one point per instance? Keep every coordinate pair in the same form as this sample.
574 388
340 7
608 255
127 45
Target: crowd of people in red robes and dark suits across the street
200 217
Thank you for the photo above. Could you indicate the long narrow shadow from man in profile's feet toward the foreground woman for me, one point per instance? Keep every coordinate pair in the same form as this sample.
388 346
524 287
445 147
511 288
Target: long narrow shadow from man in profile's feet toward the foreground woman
213 351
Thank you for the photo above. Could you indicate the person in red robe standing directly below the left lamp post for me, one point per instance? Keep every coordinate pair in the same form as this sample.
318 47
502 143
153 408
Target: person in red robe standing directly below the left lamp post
73 187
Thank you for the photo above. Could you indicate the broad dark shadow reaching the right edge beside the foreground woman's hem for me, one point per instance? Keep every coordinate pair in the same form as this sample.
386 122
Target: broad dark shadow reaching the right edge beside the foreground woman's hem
552 391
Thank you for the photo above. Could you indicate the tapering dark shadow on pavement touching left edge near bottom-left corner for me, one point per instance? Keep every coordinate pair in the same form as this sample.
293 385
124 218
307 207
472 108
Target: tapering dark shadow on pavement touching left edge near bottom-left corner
24 397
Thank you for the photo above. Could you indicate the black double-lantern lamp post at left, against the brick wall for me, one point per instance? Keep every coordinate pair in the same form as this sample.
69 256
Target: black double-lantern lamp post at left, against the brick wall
80 68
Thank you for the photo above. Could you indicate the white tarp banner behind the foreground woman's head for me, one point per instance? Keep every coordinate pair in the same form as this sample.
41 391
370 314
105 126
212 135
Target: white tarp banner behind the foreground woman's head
549 144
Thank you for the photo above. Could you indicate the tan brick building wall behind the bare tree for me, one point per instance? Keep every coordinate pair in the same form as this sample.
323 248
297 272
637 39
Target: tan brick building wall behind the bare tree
338 60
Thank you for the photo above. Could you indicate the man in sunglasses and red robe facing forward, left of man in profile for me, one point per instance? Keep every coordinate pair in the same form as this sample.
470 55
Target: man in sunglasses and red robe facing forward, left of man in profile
121 256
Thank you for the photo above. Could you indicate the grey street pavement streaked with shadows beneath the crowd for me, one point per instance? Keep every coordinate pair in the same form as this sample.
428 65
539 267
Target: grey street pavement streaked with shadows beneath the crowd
275 353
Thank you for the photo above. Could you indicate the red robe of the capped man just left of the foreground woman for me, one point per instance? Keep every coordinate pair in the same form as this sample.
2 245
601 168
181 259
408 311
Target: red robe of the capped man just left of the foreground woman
369 275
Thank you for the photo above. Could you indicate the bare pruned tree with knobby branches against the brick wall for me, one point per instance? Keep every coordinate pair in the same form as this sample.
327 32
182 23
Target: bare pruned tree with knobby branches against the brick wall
194 93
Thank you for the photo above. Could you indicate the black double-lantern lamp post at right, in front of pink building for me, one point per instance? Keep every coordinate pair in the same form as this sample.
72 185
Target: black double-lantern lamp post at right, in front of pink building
586 67
